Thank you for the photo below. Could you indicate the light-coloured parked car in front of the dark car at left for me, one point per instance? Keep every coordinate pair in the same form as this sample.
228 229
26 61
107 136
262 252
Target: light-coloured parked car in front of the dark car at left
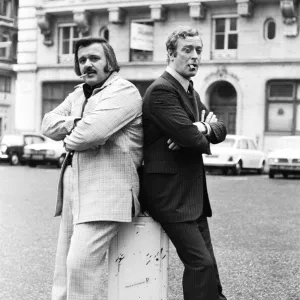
51 153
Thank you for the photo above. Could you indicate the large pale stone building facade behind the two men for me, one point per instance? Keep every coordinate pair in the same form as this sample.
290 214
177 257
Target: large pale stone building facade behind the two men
250 72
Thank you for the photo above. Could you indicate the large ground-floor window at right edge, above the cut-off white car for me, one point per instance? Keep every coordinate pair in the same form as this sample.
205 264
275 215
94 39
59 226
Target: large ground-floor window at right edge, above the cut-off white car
283 107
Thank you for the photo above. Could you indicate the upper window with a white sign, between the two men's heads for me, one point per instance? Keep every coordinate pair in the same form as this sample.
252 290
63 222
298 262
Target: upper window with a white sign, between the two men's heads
141 40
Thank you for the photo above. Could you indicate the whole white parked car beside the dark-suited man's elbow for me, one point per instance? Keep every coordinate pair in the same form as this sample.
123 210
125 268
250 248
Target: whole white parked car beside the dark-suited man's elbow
236 153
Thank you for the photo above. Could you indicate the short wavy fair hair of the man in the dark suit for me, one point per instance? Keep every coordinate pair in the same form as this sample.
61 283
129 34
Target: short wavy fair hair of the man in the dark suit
179 32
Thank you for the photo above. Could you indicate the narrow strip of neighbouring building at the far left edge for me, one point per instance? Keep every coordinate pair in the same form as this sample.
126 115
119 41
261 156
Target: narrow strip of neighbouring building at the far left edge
8 56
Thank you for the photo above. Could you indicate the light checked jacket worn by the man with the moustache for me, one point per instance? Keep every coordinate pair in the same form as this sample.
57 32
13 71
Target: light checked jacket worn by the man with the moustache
108 143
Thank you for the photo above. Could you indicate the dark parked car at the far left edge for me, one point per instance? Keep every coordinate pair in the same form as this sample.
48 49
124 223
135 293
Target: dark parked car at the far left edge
12 146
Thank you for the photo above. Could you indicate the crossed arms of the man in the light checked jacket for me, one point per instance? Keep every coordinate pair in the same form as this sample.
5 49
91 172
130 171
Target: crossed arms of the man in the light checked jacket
109 115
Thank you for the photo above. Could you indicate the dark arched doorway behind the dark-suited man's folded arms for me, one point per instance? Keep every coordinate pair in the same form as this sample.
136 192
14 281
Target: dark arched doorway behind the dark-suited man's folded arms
223 104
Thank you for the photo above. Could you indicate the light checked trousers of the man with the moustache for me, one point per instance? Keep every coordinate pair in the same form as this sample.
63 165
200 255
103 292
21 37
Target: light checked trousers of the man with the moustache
81 252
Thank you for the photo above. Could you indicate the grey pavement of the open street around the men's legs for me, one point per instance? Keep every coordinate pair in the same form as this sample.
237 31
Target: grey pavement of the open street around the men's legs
255 232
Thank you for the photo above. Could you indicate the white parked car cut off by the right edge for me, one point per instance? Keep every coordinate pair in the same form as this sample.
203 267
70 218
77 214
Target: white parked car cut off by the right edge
285 159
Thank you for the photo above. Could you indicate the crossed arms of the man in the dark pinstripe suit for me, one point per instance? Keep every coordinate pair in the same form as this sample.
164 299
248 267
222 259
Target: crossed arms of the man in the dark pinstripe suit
167 112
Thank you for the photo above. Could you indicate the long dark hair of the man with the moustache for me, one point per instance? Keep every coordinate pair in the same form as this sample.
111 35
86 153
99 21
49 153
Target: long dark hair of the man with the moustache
112 63
